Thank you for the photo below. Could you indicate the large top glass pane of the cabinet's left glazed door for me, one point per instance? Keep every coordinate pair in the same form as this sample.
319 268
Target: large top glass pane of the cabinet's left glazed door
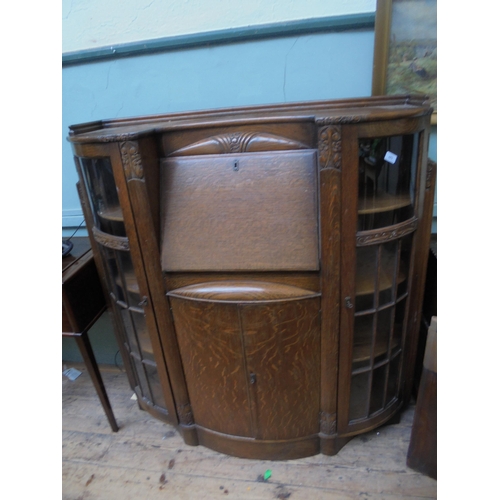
101 189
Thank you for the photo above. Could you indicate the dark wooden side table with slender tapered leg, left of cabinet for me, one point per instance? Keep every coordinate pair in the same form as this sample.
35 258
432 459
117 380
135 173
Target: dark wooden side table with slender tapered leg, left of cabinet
83 303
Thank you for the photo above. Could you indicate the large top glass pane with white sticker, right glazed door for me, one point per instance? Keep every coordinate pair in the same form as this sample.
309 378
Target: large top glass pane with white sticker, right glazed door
387 169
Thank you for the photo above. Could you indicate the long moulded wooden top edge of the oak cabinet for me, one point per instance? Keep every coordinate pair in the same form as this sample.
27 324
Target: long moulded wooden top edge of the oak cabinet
322 112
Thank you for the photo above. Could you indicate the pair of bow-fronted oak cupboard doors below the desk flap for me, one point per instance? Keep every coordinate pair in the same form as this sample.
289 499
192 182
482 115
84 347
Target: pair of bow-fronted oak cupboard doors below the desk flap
252 370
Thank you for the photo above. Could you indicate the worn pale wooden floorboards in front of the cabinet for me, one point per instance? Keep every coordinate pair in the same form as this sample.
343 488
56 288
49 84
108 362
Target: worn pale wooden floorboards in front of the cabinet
147 459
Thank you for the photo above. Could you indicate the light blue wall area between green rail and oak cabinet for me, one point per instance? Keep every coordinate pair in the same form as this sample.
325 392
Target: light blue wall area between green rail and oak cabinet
307 67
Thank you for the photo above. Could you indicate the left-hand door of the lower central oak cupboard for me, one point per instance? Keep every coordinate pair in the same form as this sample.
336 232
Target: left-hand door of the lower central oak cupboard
211 349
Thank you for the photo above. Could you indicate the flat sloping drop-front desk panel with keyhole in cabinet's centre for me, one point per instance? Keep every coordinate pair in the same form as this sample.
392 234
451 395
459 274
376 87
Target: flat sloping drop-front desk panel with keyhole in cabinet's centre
240 212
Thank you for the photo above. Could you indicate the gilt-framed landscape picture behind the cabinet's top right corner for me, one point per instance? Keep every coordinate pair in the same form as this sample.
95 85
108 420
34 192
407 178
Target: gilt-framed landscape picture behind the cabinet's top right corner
405 56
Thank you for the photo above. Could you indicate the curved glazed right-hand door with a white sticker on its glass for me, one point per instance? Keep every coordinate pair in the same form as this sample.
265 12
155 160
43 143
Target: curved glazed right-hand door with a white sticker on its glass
381 182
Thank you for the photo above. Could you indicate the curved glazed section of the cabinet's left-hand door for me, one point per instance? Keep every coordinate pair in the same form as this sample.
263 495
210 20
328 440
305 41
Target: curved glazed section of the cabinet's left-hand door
125 283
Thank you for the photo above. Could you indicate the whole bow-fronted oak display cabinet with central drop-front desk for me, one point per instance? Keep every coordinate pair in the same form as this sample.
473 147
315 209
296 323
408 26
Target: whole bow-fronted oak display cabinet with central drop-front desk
265 265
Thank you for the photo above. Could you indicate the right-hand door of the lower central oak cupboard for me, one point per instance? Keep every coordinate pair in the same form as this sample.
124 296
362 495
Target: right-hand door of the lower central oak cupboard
282 345
